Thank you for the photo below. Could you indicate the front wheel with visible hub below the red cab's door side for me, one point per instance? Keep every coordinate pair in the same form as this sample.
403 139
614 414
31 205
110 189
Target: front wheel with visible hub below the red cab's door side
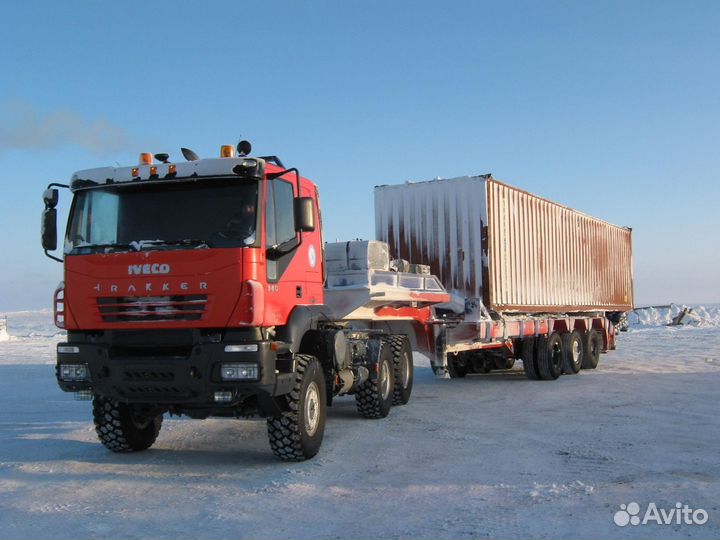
297 434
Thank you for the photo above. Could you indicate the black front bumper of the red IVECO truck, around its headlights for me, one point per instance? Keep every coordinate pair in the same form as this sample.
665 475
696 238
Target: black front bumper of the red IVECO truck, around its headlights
191 377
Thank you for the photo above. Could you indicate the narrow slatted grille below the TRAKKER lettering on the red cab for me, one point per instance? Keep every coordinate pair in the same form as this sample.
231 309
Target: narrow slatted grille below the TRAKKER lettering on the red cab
189 307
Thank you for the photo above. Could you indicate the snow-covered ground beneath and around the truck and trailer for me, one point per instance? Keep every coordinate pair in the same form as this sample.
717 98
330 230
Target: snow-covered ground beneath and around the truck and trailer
490 455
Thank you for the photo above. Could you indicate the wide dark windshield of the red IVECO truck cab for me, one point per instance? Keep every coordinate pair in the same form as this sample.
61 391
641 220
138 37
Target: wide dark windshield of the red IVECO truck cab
182 215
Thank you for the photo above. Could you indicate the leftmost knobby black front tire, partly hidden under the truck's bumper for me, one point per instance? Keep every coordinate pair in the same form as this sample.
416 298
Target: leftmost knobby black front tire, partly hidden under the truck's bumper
122 428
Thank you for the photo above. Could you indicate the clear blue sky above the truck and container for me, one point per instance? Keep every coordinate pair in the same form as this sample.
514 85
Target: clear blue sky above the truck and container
609 107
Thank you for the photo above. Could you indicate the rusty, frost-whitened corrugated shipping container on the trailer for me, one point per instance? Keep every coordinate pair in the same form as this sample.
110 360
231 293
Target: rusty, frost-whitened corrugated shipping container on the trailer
515 251
